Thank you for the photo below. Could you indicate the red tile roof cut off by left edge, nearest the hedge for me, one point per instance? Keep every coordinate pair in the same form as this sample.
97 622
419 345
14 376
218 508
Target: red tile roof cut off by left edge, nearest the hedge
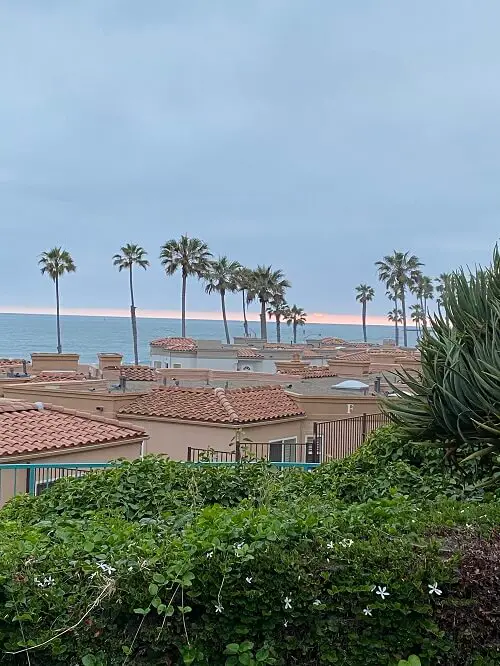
26 429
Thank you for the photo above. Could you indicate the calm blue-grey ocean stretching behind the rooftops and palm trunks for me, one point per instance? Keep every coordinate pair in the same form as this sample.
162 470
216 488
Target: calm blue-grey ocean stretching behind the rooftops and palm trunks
21 334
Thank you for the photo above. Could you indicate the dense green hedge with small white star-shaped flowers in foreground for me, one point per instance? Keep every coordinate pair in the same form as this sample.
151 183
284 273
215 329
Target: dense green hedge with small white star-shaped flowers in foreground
158 562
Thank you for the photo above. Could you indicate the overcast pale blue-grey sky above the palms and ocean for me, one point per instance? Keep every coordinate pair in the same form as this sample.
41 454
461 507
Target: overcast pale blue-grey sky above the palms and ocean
315 136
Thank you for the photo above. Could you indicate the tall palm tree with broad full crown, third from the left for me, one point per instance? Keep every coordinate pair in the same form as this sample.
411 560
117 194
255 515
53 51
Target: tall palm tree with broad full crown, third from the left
189 255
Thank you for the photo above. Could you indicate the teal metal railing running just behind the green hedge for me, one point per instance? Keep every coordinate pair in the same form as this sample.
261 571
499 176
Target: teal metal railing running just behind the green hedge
34 478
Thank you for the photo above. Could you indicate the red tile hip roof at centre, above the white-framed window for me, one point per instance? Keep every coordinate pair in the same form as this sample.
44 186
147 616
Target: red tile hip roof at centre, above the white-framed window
244 405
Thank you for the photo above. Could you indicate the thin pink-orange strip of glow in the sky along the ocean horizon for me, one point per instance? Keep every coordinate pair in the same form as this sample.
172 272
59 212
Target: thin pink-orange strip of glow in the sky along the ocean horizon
312 318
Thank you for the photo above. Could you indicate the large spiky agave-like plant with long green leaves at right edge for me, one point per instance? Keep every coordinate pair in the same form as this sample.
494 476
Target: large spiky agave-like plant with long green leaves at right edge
455 398
